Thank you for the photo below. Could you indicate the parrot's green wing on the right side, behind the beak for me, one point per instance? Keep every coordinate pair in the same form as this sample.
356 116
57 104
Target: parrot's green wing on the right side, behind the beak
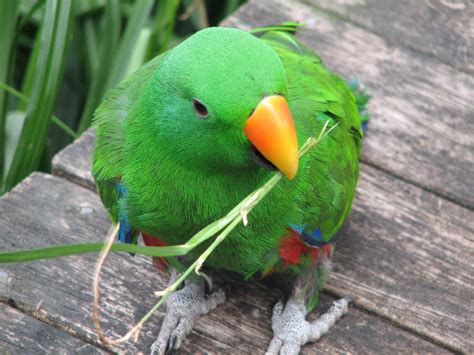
316 95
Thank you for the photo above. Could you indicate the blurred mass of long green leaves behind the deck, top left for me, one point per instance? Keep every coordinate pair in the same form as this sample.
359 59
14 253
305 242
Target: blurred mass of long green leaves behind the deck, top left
59 57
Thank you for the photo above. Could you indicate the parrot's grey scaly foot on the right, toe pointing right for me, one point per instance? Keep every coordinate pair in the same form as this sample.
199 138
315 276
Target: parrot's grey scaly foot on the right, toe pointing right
291 331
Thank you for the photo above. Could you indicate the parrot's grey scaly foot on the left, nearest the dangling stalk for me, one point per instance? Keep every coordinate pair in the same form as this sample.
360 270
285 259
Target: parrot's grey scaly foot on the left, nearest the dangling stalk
183 308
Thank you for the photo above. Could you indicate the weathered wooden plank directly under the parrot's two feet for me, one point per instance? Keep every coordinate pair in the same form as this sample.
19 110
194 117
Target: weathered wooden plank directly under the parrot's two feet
45 210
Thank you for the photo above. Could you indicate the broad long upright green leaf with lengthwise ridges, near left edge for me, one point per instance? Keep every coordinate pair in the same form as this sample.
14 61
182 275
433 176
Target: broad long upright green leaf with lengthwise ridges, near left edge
55 33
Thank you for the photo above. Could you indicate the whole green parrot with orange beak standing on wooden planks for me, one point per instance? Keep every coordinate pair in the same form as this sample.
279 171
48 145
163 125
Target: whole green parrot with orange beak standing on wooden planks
189 135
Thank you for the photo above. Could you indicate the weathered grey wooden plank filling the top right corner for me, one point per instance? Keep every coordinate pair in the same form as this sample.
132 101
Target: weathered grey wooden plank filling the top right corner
443 29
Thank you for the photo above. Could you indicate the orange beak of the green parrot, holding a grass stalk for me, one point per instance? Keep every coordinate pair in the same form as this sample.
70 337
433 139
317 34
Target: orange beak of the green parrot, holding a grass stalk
271 130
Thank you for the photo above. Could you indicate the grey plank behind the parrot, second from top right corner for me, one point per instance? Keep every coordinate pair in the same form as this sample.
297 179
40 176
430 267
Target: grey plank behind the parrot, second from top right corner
422 110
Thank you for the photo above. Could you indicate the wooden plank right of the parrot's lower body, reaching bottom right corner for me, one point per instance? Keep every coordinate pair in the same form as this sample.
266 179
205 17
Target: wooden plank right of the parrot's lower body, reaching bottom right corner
408 255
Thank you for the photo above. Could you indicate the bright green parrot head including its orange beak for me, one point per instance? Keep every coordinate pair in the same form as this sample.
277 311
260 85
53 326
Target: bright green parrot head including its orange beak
218 102
